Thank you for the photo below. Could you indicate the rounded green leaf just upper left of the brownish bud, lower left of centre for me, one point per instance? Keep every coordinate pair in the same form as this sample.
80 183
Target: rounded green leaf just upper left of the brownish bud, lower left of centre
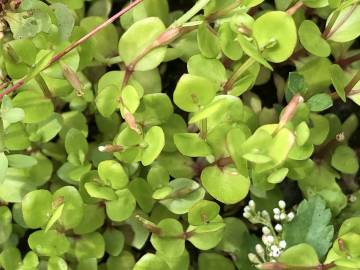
121 208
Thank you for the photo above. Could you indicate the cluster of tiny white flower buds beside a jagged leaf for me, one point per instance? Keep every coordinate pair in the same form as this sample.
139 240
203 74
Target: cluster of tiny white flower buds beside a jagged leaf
272 240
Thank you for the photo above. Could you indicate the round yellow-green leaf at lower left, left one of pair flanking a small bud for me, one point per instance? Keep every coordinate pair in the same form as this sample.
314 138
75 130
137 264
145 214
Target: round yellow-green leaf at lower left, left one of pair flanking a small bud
37 208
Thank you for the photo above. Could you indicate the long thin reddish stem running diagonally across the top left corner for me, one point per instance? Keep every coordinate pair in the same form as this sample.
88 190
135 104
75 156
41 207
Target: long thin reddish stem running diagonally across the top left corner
61 54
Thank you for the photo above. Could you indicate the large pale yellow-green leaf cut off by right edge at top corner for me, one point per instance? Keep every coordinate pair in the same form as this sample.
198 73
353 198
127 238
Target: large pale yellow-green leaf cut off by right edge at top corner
347 24
